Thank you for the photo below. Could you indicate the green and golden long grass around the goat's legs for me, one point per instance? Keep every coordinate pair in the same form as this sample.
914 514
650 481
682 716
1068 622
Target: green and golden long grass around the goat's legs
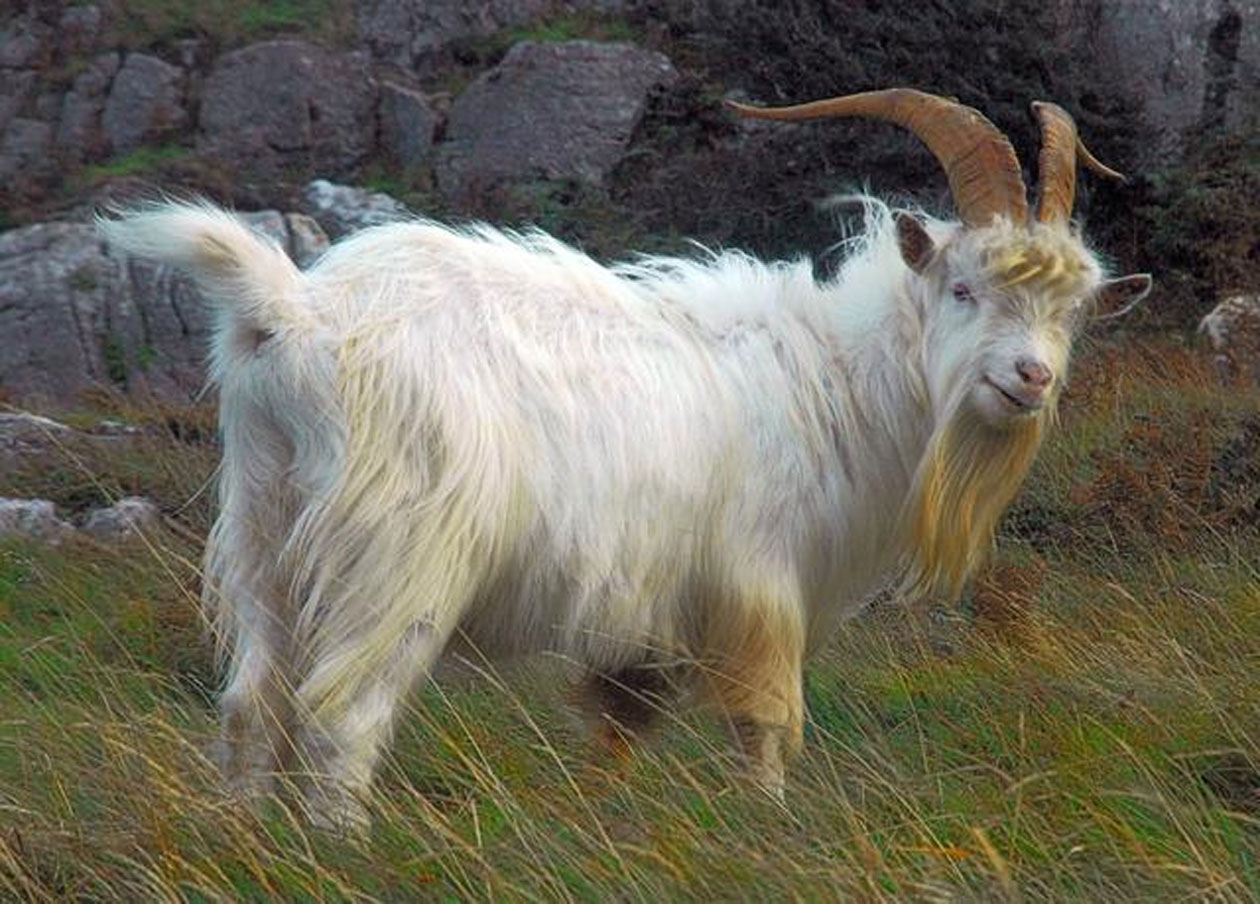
1085 727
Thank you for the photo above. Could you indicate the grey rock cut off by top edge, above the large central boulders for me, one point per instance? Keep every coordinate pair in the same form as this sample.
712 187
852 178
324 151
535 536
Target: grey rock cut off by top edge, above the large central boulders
413 36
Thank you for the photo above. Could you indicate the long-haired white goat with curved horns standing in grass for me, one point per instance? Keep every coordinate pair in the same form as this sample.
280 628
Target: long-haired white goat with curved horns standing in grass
682 475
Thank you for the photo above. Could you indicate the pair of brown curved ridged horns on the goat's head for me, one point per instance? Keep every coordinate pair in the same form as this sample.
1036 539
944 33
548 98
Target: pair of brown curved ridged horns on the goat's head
980 162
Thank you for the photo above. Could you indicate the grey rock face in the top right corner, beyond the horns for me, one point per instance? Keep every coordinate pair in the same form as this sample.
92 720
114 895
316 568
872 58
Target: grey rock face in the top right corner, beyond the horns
1193 67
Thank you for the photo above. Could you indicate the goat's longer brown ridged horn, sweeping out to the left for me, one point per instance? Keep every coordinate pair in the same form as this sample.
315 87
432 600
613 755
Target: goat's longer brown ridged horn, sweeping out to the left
982 166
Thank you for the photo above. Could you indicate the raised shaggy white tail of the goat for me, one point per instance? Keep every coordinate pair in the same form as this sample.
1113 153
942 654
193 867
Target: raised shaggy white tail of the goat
250 281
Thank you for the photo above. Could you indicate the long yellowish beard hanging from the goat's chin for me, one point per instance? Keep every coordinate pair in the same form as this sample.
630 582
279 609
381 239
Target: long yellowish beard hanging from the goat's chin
966 481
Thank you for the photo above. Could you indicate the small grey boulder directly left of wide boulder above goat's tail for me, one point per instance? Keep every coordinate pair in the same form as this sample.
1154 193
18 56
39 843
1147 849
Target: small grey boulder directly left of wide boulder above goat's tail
146 104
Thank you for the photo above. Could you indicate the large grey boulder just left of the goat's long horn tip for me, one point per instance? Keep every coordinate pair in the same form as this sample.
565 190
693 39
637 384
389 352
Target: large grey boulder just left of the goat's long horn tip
550 112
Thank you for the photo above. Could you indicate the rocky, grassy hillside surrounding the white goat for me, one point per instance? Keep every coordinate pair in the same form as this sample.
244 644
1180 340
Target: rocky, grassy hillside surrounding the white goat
1083 726
